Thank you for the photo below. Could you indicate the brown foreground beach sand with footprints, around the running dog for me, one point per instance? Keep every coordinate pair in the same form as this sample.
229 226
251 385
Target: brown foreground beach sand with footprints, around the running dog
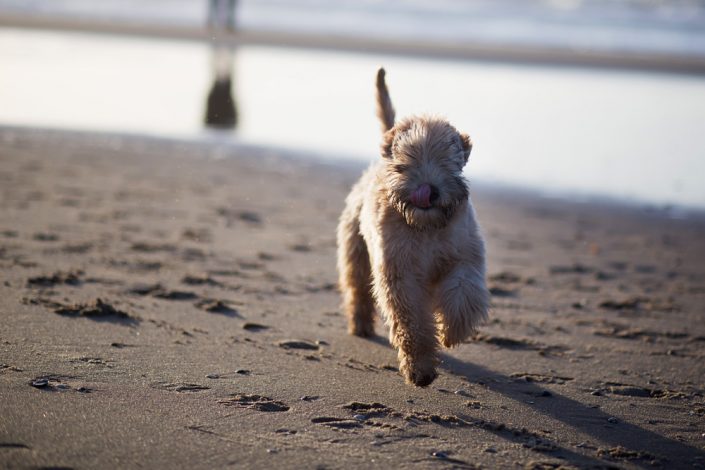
164 307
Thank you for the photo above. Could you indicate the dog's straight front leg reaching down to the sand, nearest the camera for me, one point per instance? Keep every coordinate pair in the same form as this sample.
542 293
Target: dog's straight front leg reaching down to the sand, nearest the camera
406 307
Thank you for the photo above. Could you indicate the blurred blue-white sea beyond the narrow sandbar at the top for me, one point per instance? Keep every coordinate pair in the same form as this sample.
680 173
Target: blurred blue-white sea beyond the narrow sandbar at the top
652 26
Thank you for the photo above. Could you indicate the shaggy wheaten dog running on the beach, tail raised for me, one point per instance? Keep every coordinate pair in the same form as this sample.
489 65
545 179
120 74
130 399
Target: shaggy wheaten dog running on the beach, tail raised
408 242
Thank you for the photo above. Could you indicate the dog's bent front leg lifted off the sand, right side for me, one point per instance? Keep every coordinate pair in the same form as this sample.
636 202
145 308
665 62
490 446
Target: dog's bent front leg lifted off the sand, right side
462 301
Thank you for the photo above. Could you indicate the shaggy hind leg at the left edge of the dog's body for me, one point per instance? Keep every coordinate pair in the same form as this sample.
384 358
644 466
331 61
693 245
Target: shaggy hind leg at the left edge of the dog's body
354 275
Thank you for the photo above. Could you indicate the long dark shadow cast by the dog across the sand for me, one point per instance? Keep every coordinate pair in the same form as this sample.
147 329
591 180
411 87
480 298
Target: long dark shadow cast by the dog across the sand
604 428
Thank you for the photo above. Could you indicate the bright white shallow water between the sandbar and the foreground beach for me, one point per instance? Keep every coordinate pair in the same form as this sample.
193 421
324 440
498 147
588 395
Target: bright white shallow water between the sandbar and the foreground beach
562 130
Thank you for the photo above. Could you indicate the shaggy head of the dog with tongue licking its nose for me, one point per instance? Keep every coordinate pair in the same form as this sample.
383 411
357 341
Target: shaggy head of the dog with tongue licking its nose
423 162
